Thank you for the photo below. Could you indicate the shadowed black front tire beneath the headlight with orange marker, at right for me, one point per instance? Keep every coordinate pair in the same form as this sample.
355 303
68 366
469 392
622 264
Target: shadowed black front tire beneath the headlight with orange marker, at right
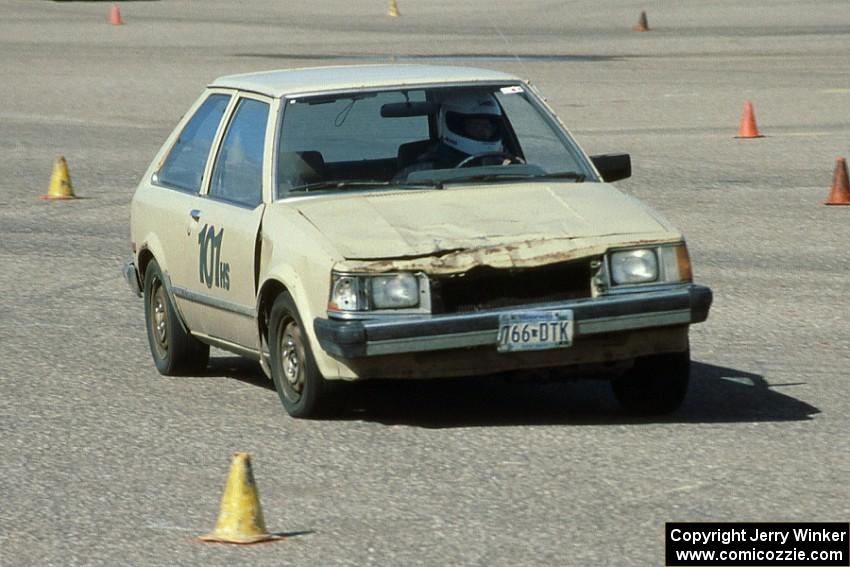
655 385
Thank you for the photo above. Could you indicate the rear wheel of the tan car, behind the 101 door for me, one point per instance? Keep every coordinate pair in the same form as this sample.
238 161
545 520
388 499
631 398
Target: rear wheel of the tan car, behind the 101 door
174 351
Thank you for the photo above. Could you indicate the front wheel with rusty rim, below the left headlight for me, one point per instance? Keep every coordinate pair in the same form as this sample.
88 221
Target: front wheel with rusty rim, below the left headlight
297 379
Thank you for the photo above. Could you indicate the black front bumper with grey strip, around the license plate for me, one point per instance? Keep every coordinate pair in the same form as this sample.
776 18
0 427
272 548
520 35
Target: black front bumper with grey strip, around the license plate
673 306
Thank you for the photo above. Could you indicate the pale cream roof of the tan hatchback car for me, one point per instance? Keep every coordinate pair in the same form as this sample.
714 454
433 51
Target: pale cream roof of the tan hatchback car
353 77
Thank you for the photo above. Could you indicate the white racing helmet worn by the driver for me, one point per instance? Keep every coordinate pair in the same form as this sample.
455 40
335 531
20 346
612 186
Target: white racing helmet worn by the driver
471 122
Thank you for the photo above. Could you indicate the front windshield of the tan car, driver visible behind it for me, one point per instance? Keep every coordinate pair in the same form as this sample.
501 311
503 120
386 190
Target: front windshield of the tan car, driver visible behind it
421 138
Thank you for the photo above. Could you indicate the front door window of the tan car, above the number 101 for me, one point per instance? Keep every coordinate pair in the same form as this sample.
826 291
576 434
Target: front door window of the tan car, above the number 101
237 175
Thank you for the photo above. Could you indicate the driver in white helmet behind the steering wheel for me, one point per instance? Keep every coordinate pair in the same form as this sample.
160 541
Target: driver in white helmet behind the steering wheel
469 124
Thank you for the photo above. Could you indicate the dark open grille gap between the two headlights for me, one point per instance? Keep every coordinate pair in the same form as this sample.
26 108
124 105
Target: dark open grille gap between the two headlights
490 288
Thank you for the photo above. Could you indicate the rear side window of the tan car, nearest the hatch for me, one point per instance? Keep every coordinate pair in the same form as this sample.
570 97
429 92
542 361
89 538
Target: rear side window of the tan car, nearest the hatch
184 166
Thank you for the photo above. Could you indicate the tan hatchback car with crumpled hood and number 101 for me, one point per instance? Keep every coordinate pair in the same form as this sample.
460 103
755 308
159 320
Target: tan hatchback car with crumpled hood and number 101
404 221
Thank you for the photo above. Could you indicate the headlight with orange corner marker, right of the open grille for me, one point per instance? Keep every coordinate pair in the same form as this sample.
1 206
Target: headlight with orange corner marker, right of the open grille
662 264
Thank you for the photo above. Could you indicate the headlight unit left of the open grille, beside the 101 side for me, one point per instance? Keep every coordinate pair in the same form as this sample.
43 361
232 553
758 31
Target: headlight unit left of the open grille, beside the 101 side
368 292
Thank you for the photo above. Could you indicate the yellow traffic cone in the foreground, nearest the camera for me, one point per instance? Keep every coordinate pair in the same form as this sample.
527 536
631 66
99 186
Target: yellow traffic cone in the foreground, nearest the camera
240 519
